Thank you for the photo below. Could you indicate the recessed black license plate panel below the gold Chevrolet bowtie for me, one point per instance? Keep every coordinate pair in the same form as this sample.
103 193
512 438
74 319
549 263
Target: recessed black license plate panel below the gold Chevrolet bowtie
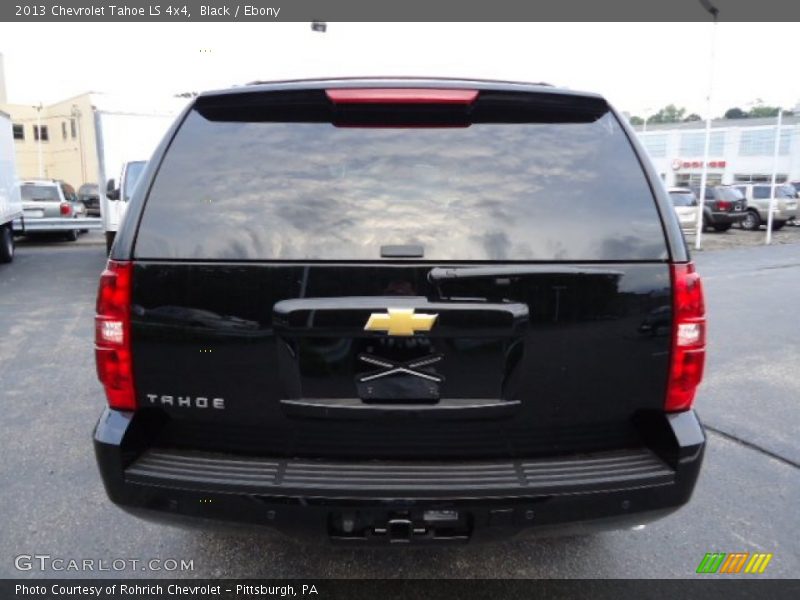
325 352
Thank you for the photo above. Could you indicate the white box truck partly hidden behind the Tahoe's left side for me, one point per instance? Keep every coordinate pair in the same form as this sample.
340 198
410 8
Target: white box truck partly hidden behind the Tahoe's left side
127 132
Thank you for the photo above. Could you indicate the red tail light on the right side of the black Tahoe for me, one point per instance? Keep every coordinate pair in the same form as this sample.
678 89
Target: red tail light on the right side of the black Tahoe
688 338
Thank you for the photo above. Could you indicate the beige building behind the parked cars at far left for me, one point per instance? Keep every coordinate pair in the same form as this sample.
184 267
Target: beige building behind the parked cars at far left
55 141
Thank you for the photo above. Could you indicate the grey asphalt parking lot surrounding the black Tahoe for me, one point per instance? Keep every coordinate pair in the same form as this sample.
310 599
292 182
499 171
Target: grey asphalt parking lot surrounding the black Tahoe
52 501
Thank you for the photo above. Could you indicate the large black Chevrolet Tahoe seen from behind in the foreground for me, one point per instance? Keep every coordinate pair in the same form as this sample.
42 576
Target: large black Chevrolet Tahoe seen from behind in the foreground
400 310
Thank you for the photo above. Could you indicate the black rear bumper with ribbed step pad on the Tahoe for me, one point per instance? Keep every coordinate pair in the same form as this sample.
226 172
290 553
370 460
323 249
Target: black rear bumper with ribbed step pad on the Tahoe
402 501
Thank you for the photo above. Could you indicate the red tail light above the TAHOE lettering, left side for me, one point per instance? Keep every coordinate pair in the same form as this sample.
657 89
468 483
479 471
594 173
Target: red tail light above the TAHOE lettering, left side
113 335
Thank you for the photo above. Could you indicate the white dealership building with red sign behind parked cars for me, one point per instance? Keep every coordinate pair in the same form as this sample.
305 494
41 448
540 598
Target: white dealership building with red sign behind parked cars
740 150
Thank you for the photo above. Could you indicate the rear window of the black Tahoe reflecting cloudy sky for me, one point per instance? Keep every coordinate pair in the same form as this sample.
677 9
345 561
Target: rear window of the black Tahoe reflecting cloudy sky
267 190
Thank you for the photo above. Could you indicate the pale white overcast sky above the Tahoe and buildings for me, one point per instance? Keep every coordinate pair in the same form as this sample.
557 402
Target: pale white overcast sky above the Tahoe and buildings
637 66
